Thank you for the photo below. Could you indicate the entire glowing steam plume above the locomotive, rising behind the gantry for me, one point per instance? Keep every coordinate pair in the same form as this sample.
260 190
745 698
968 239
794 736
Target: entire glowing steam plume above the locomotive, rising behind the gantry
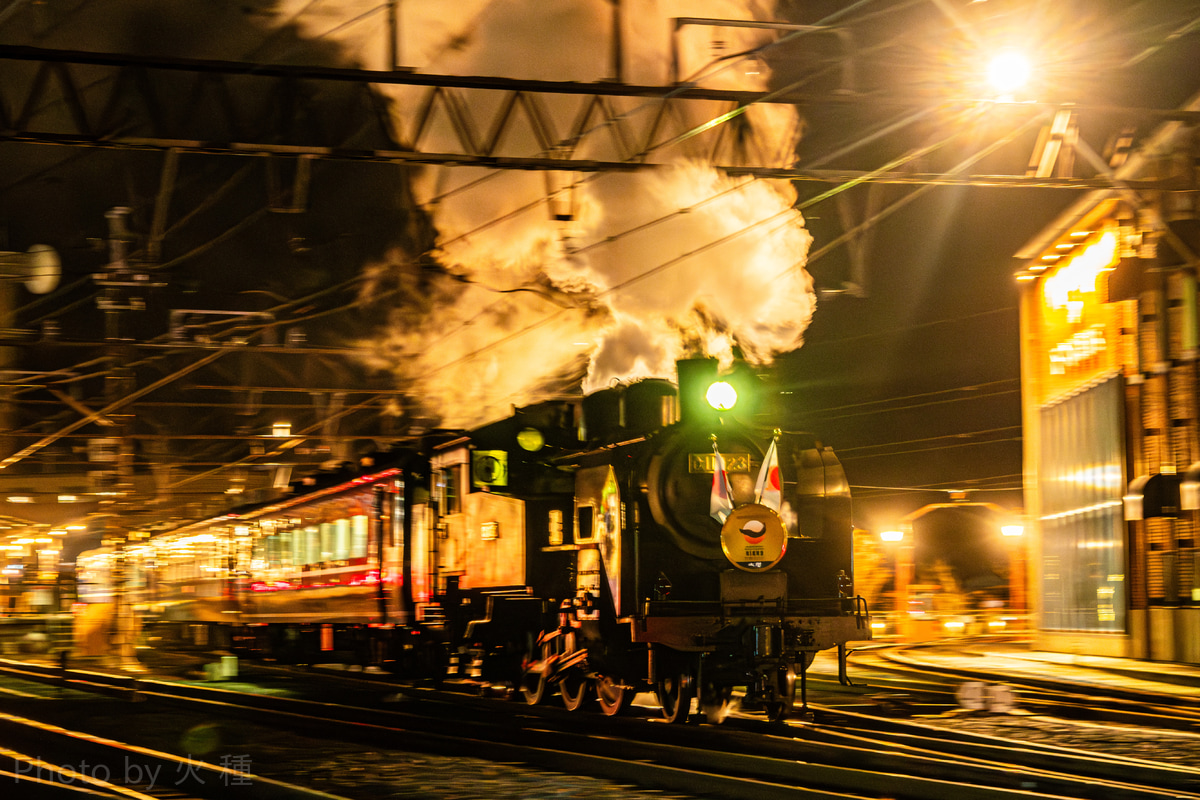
626 273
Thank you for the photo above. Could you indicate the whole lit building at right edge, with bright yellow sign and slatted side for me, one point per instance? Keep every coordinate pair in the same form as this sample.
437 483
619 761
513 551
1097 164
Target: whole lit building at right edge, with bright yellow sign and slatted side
1111 339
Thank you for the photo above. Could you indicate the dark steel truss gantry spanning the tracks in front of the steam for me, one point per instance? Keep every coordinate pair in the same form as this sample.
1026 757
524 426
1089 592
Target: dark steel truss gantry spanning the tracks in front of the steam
129 103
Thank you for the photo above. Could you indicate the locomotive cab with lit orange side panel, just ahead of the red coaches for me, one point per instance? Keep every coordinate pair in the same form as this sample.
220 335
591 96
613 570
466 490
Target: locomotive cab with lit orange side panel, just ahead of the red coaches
502 555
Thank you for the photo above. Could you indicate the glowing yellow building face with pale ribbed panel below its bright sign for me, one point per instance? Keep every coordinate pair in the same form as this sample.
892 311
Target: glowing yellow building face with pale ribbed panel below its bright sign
1075 384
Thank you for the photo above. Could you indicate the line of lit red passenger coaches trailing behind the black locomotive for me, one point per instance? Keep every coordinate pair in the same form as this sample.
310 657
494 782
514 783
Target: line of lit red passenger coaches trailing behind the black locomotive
297 578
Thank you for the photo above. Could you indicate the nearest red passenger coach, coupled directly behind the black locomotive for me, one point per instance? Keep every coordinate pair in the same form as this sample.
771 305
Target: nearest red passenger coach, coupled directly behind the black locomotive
325 572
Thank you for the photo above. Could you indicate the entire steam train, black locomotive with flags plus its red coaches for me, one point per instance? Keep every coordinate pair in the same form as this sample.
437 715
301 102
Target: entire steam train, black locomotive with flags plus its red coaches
637 554
